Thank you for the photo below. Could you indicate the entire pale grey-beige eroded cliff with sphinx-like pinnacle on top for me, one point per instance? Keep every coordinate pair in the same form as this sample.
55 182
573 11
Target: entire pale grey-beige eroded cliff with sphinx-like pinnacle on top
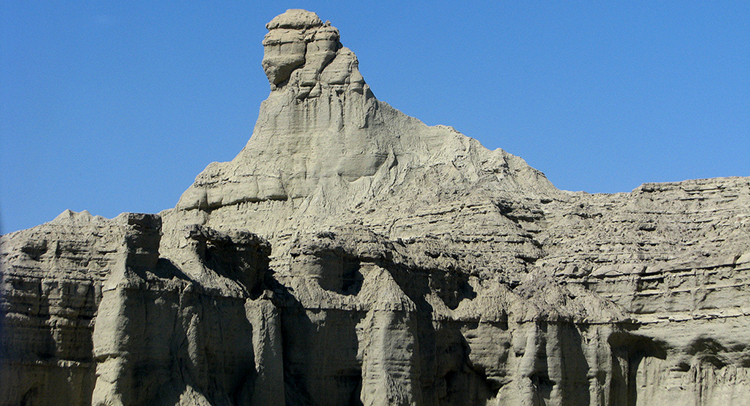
352 255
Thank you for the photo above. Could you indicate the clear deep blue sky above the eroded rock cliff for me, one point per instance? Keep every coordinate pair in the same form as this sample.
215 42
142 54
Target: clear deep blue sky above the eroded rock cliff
114 106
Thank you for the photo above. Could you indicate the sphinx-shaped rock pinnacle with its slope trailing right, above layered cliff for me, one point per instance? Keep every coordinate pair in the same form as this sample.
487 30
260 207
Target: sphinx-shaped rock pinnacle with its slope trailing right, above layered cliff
321 130
